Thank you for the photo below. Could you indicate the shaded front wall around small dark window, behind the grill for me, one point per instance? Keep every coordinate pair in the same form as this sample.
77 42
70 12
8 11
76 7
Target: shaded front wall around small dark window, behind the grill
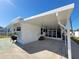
10 30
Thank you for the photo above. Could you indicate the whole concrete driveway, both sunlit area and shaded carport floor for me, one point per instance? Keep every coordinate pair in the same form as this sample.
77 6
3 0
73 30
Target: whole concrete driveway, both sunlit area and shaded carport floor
46 49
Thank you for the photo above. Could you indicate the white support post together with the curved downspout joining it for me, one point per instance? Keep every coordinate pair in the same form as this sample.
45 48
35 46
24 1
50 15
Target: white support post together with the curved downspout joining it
68 35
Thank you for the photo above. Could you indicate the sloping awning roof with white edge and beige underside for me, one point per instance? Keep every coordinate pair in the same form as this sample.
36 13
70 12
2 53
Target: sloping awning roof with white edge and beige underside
50 18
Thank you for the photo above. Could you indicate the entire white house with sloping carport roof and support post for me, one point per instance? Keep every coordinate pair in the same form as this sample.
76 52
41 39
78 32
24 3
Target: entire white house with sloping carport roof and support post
51 24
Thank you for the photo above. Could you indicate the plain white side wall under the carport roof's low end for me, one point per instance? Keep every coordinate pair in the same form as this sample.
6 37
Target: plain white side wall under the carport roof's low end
29 33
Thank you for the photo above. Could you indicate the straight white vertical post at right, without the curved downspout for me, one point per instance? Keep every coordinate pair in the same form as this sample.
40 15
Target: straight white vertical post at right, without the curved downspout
69 40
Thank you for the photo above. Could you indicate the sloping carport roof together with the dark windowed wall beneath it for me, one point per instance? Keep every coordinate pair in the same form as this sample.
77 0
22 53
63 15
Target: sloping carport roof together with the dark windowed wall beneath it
53 23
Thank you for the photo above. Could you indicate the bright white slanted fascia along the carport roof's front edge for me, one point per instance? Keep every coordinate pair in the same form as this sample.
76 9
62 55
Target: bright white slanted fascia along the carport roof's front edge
69 6
